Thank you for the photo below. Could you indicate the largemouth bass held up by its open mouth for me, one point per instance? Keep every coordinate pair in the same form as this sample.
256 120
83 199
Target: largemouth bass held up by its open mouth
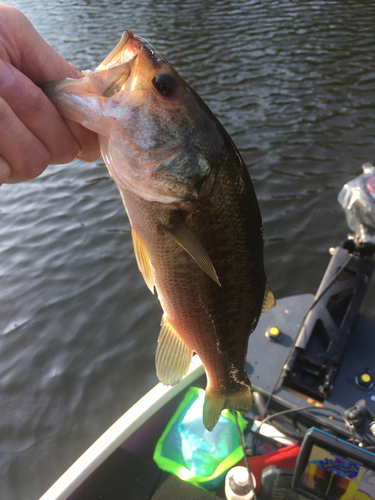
195 218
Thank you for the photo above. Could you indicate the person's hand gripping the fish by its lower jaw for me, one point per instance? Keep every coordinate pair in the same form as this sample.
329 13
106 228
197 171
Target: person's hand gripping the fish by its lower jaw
33 134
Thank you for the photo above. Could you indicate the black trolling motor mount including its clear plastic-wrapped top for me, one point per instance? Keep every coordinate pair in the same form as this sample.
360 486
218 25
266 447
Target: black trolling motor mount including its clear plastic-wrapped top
319 348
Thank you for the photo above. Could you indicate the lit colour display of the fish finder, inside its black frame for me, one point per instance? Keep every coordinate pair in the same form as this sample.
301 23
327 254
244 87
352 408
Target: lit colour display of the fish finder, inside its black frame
332 476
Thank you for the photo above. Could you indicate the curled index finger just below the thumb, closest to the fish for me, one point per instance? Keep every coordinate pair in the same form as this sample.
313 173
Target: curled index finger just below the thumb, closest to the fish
38 114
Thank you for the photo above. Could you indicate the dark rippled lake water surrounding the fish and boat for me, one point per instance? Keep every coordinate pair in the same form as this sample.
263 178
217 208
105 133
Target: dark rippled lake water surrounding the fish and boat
293 83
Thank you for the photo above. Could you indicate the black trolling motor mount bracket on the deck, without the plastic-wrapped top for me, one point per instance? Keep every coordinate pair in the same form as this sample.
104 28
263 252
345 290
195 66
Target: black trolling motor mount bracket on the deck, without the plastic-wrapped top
322 340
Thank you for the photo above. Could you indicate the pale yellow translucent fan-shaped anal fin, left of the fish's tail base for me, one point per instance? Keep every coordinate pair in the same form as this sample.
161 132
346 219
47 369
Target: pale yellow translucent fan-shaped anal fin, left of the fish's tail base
173 356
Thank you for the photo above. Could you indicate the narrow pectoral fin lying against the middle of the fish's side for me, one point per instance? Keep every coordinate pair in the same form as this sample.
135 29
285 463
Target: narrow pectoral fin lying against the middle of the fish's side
185 237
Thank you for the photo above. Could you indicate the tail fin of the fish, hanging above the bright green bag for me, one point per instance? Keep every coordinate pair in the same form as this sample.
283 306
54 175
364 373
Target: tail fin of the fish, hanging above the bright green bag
215 402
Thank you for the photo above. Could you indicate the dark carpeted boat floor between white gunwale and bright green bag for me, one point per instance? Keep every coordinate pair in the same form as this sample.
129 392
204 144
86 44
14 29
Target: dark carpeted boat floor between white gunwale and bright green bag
125 476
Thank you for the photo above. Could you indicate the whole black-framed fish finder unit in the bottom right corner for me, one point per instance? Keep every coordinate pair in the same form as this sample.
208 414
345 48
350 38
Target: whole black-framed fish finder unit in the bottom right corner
328 468
